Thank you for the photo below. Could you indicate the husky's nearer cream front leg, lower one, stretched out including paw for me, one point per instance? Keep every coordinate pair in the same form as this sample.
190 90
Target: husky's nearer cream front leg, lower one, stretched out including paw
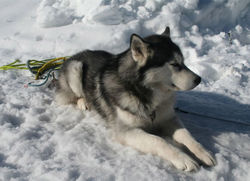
148 143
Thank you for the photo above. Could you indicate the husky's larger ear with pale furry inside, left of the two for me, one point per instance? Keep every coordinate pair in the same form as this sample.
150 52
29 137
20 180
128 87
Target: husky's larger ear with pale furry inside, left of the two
139 49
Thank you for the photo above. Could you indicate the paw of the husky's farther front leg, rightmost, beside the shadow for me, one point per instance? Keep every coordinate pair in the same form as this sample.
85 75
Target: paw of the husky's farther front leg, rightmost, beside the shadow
205 157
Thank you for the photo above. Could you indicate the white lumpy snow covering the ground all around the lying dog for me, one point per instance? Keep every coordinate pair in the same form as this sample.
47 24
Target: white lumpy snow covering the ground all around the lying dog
41 141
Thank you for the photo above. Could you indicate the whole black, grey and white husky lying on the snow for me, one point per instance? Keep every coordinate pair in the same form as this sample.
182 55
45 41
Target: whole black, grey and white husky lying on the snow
134 92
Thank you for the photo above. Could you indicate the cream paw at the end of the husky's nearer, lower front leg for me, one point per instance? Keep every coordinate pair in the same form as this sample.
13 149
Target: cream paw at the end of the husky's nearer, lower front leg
185 163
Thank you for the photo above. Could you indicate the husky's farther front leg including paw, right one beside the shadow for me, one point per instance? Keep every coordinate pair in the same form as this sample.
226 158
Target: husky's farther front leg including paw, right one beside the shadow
181 135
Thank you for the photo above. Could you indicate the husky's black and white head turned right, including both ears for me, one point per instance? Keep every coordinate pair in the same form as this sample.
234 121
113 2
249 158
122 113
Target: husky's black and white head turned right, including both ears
161 63
